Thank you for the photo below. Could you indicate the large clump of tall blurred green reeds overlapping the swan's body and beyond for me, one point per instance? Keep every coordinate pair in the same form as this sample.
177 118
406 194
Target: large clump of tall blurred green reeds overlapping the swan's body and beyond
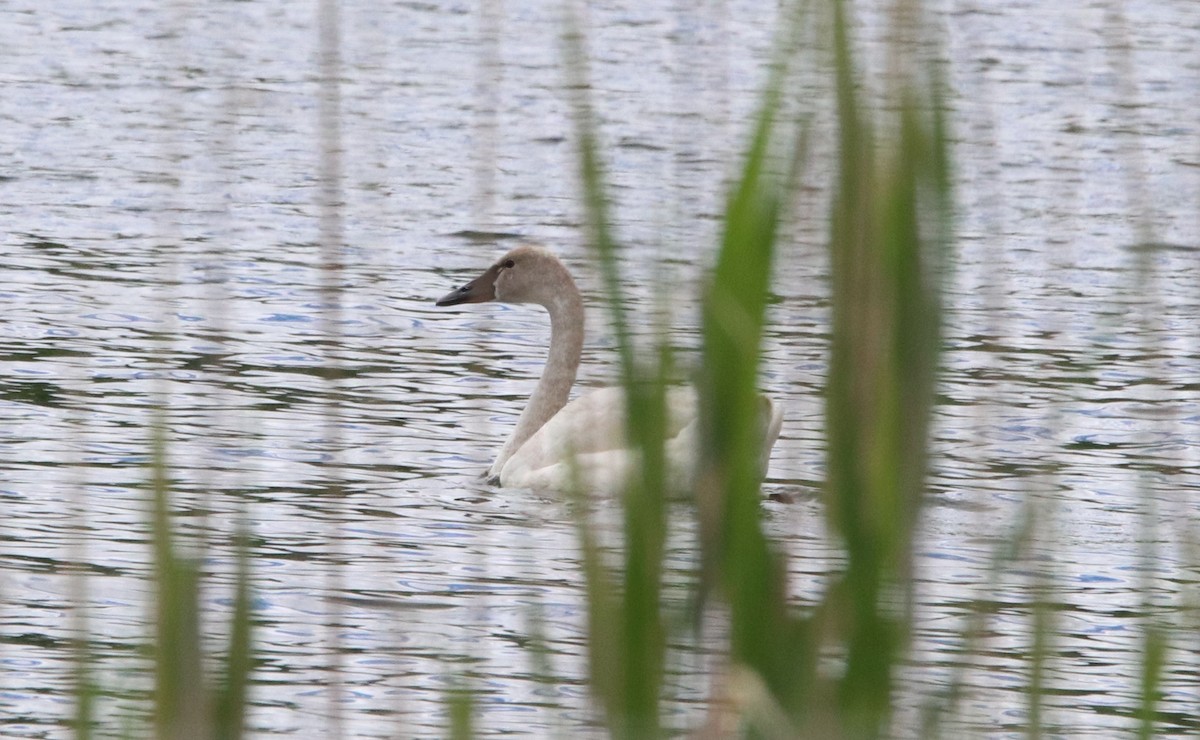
887 243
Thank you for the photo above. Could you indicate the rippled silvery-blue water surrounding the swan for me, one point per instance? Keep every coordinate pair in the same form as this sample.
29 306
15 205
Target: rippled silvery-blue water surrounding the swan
160 226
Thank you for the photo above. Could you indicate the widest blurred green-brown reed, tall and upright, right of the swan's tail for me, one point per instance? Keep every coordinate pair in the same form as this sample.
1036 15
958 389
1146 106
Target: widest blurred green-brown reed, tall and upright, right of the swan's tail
890 215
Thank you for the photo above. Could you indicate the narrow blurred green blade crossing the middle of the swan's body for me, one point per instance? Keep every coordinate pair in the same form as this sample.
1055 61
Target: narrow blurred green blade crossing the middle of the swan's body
626 627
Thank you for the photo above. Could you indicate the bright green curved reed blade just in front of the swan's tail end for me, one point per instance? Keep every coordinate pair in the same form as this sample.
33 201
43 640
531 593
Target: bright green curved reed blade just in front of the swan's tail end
766 637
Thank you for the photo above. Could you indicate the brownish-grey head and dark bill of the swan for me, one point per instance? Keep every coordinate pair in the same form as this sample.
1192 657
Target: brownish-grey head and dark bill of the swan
526 275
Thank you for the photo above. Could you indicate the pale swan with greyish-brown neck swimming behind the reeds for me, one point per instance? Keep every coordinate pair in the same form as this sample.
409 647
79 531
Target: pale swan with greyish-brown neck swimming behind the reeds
559 444
